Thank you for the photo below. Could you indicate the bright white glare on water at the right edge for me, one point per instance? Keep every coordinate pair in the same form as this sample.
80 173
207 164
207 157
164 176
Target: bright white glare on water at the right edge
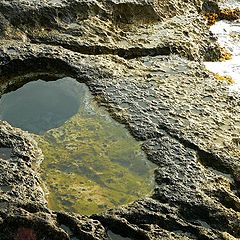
228 34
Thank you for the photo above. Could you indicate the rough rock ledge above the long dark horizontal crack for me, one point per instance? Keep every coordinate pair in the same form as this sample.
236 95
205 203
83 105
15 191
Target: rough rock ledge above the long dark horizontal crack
127 28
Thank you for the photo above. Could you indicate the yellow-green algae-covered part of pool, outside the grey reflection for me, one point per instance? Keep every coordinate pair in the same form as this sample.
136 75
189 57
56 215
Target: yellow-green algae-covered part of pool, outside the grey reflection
91 162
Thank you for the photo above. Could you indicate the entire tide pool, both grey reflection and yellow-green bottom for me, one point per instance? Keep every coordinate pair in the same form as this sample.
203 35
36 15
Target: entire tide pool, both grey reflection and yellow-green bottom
91 162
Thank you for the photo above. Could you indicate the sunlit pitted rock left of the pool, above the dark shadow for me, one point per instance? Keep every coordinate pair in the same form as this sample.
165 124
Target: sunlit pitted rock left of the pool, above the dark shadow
19 181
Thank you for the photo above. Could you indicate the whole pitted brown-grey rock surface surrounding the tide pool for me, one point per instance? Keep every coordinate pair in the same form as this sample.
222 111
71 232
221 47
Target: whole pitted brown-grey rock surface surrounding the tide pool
143 61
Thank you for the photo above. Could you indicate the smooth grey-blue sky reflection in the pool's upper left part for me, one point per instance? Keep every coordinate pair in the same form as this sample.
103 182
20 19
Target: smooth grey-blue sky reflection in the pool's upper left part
39 106
